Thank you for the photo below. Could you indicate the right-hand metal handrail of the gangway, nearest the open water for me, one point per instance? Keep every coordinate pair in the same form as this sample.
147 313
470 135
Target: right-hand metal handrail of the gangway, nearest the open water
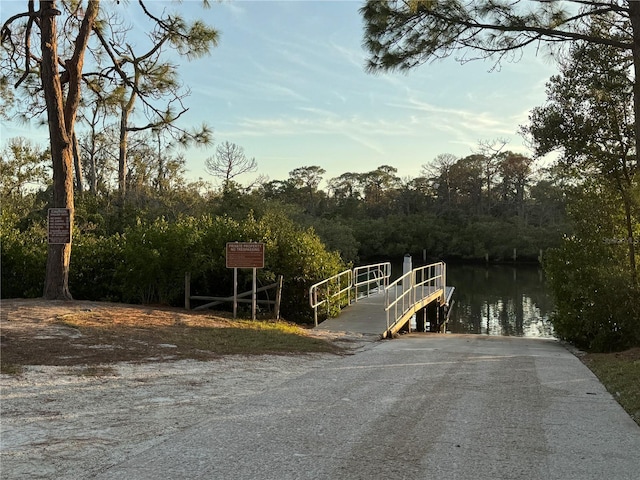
413 286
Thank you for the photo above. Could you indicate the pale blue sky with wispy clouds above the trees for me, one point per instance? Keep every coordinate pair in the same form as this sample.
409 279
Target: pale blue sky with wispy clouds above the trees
287 83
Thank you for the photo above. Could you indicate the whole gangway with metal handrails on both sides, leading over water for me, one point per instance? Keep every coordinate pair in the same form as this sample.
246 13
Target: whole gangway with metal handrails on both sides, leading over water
363 301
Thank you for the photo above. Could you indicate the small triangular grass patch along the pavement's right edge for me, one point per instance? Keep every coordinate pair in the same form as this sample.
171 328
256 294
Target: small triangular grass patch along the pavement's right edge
620 374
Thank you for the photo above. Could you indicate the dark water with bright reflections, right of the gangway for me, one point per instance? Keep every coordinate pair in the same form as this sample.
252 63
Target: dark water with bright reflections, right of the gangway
499 300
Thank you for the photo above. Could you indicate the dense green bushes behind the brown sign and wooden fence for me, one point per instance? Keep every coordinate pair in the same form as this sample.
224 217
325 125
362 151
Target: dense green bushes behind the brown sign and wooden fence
148 261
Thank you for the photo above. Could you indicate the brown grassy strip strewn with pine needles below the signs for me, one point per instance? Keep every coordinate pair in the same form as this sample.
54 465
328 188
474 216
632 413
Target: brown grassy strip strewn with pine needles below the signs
94 338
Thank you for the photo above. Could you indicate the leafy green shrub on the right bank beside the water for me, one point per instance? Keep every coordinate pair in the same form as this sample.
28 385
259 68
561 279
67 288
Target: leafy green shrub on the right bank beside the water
590 277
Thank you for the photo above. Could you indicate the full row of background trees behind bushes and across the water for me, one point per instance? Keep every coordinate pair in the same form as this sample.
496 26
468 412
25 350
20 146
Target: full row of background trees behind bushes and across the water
460 208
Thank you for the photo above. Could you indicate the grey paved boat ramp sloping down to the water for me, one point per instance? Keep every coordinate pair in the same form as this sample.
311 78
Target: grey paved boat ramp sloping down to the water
417 407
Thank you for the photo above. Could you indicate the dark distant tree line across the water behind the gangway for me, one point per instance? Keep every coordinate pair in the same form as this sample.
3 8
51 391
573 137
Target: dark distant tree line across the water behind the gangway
466 209
